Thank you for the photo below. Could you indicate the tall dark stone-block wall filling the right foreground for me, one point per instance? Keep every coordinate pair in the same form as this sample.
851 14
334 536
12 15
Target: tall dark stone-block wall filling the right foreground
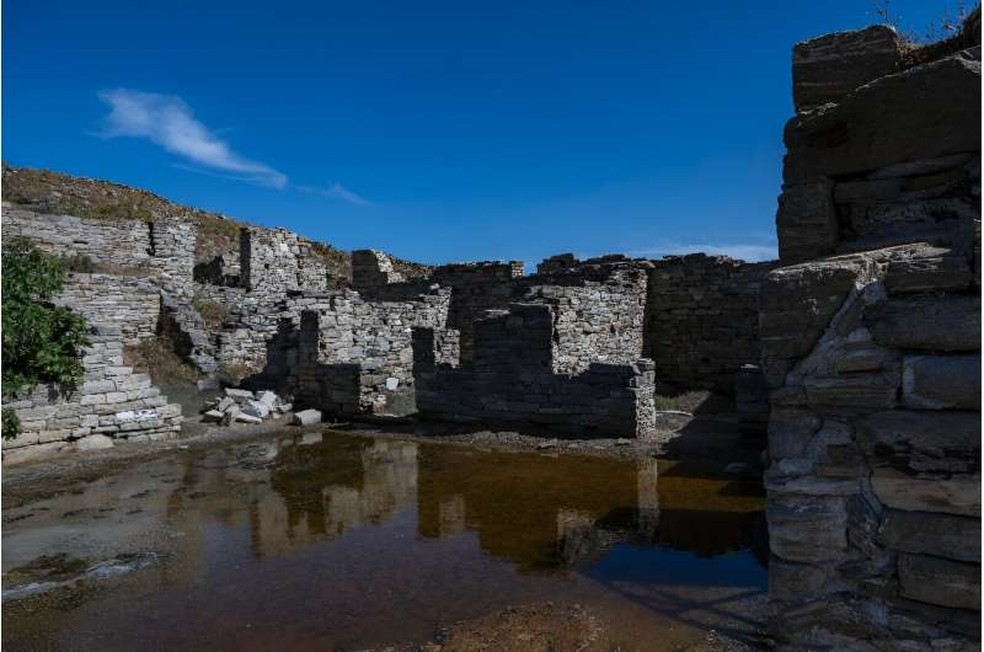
873 357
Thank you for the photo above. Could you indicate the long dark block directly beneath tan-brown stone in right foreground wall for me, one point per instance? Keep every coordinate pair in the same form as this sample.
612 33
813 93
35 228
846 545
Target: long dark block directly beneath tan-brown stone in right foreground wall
942 535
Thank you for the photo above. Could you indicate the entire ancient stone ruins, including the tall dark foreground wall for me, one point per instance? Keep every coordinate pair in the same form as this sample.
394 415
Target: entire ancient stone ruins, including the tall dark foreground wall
859 348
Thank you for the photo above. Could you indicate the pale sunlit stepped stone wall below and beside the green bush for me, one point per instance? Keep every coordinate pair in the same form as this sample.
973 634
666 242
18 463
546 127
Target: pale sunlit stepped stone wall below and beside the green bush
113 403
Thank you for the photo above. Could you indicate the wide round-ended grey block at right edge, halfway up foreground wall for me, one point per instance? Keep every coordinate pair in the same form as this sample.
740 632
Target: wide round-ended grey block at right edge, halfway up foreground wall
927 323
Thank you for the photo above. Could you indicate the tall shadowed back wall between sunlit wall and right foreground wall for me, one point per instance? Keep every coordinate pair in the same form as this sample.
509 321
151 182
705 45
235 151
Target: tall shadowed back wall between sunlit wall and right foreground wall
702 321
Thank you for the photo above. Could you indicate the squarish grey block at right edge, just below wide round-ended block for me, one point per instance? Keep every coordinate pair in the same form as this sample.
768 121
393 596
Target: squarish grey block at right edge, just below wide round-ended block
940 382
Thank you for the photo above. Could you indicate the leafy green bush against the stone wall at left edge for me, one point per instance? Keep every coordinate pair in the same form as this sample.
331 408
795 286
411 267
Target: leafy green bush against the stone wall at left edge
42 343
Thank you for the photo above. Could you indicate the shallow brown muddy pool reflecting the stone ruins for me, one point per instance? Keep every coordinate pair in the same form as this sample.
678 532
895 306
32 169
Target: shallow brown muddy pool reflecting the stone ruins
336 542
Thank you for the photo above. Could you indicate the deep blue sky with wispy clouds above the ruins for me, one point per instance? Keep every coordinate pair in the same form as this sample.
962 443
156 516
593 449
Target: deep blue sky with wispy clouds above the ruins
438 131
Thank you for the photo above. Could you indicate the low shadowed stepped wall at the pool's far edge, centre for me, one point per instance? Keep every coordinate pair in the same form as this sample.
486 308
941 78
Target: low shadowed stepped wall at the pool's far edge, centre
511 381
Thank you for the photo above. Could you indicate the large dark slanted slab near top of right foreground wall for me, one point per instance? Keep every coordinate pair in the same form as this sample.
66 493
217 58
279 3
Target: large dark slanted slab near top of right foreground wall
862 132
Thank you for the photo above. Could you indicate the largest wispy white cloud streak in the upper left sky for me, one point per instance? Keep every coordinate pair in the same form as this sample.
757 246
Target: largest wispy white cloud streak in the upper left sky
168 122
